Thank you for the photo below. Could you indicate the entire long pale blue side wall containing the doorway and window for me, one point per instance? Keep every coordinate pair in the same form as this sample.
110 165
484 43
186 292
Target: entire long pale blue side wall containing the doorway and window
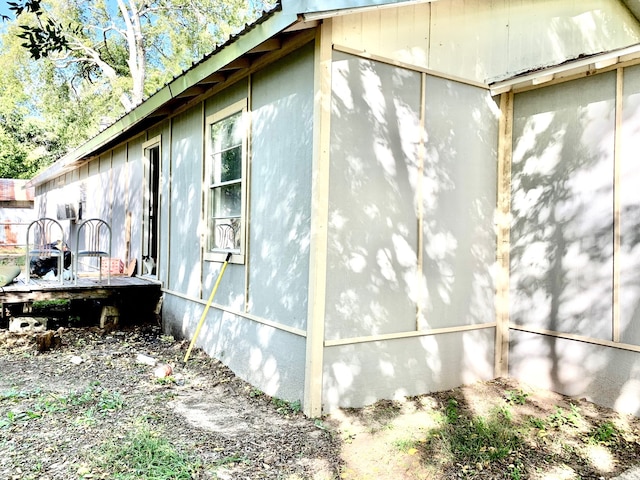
262 339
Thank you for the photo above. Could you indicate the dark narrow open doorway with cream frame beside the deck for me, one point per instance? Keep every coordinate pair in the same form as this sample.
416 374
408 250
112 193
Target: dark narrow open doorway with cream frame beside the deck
150 219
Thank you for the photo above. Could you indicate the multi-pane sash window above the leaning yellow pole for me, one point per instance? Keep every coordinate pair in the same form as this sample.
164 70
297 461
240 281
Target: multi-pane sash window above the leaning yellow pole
226 158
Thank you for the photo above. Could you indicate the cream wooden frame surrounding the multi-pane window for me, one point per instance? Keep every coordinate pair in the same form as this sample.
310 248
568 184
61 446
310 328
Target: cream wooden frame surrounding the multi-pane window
220 255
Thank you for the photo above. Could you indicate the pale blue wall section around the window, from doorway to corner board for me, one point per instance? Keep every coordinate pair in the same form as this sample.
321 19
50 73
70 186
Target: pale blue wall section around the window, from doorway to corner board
258 322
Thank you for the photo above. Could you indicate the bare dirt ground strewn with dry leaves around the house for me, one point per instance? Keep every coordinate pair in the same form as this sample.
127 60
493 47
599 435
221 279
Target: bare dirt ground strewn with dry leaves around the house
48 431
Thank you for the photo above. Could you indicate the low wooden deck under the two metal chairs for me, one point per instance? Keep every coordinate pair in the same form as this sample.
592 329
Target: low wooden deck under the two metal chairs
87 288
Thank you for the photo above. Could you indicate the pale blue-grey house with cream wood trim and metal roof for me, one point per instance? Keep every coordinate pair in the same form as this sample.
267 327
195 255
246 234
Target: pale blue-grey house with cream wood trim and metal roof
415 194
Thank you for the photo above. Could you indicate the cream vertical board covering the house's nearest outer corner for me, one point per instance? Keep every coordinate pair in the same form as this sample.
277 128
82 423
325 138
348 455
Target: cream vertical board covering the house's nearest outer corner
319 223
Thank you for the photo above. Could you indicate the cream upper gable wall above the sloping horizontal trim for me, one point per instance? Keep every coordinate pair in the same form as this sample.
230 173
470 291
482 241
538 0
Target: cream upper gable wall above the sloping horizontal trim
480 40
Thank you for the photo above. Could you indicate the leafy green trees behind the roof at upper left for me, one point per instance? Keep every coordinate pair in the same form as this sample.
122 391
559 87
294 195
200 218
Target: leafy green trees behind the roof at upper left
66 66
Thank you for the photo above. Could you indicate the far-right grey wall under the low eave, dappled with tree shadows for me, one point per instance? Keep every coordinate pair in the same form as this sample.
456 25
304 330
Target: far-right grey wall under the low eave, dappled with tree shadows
574 279
